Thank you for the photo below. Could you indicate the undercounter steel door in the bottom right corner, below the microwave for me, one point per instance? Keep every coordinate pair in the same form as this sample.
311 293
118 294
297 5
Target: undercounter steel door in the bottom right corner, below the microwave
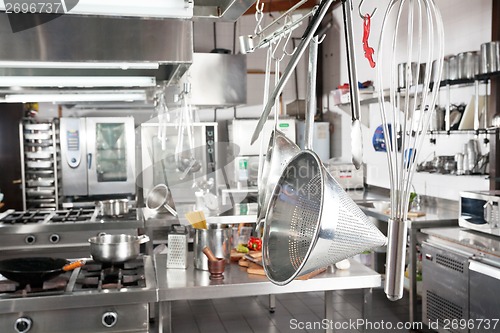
484 288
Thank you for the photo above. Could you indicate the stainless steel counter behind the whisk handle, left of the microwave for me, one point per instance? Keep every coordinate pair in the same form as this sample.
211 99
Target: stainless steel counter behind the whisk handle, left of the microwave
438 213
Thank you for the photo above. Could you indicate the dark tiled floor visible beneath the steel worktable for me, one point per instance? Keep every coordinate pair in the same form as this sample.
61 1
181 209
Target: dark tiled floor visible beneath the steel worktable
251 314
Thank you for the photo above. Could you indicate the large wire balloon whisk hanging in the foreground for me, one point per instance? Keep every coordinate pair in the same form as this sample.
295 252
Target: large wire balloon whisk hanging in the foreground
412 35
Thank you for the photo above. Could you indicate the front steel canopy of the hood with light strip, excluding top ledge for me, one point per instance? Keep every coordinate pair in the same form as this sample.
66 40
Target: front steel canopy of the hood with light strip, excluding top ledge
94 52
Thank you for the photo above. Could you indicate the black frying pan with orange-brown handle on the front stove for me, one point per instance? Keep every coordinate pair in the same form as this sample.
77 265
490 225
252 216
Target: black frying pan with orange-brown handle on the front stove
34 271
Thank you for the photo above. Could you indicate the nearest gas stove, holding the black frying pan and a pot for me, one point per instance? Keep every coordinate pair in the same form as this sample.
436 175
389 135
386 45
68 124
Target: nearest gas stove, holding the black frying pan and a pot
93 298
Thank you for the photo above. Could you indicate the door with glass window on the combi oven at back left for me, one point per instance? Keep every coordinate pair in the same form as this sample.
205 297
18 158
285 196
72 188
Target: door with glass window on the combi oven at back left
111 155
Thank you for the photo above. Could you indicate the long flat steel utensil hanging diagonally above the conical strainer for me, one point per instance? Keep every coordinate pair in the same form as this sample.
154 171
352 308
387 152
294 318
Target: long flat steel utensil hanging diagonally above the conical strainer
294 60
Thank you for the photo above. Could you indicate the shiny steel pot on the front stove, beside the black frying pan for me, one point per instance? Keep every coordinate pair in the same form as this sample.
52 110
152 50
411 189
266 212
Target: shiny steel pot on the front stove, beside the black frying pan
116 248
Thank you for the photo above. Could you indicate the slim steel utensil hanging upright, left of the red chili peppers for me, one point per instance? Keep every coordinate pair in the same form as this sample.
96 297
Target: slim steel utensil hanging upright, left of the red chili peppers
356 133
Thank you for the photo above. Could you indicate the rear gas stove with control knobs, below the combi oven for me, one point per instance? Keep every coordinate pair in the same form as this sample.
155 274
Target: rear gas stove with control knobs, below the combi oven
59 233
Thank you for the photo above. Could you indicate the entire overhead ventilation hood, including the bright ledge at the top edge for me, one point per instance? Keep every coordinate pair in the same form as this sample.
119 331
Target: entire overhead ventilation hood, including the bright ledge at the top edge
103 46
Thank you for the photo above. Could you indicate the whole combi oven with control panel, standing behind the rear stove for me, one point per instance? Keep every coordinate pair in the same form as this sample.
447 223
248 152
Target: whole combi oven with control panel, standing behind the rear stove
98 156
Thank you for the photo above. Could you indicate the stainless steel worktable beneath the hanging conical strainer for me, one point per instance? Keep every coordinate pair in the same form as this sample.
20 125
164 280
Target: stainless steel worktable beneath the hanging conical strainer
190 284
